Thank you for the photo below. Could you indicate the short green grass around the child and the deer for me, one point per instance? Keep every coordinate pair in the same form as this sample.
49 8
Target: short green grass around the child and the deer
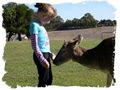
22 71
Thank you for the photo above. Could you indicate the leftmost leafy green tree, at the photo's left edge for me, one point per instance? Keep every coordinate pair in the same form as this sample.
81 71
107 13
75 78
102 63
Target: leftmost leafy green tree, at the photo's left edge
9 16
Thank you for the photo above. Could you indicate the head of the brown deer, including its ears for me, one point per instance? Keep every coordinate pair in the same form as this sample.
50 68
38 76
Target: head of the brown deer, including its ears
68 50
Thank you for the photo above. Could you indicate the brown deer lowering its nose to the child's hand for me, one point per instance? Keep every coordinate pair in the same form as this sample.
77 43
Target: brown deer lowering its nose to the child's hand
100 57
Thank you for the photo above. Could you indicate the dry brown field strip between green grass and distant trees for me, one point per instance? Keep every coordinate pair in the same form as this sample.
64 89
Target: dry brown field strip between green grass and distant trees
88 34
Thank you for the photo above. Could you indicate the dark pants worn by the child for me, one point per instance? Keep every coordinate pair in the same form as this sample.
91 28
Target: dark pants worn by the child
45 75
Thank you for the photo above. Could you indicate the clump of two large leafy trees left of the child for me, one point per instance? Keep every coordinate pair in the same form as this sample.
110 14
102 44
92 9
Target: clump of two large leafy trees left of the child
16 19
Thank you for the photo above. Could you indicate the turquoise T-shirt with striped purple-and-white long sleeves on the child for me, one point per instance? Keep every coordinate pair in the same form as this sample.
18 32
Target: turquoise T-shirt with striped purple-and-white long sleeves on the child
39 40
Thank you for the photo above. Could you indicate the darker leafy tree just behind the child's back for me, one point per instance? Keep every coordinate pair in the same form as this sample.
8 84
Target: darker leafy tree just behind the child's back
23 18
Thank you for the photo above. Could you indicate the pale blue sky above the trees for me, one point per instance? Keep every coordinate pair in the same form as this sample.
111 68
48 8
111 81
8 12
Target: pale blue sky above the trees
99 10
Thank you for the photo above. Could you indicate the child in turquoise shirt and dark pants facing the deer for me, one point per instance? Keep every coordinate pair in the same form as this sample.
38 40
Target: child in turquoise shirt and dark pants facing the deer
40 43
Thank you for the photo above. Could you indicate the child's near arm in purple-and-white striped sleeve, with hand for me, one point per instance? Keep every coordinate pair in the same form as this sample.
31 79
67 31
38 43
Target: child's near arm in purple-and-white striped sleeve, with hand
34 43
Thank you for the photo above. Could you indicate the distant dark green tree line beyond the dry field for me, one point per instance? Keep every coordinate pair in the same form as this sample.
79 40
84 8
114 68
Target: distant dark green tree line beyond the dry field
87 21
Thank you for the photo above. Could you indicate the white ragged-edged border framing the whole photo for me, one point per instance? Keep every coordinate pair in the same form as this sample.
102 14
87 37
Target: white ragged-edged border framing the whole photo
114 3
